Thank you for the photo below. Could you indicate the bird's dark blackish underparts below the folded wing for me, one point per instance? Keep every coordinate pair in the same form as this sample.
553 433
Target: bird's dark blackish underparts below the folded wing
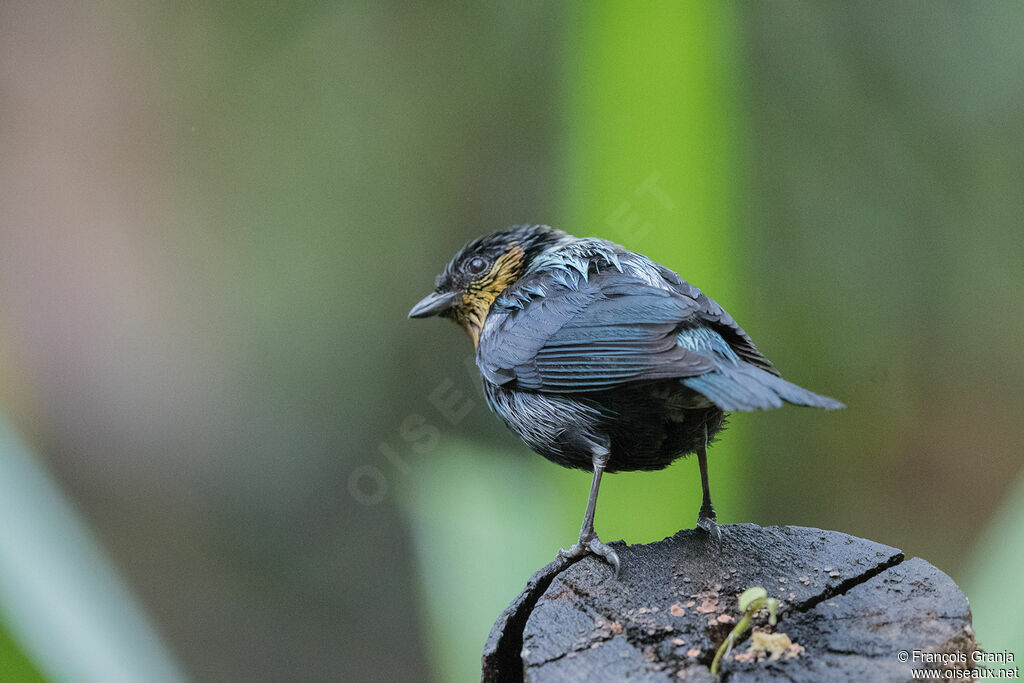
647 425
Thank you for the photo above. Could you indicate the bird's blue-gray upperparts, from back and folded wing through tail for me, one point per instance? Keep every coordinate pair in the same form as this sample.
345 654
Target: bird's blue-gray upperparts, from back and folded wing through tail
642 323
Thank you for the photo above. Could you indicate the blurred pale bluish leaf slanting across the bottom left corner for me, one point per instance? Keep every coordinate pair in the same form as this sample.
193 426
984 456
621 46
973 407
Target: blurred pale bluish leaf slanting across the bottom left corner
62 600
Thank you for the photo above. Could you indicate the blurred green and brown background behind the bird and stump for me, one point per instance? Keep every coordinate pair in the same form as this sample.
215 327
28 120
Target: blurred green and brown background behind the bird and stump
230 456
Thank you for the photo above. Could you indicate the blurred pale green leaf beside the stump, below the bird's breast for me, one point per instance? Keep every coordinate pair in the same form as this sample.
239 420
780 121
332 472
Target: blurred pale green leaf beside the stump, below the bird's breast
484 522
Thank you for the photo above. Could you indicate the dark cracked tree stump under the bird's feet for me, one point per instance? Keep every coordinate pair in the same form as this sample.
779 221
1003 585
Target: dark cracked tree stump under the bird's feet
850 607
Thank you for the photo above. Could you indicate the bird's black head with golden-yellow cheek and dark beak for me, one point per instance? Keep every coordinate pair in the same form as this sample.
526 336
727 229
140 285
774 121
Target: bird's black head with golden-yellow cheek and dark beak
481 272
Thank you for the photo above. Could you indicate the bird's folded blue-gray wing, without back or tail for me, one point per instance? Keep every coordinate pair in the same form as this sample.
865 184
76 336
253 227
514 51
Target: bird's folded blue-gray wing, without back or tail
592 338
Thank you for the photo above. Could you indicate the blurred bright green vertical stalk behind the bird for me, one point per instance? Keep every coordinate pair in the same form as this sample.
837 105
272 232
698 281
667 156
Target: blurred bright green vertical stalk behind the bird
653 163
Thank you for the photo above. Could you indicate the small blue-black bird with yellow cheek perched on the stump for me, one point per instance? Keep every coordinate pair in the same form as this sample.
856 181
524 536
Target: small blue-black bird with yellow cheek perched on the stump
602 360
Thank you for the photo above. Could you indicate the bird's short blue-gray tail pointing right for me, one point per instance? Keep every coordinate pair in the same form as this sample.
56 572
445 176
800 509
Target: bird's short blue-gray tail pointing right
744 388
